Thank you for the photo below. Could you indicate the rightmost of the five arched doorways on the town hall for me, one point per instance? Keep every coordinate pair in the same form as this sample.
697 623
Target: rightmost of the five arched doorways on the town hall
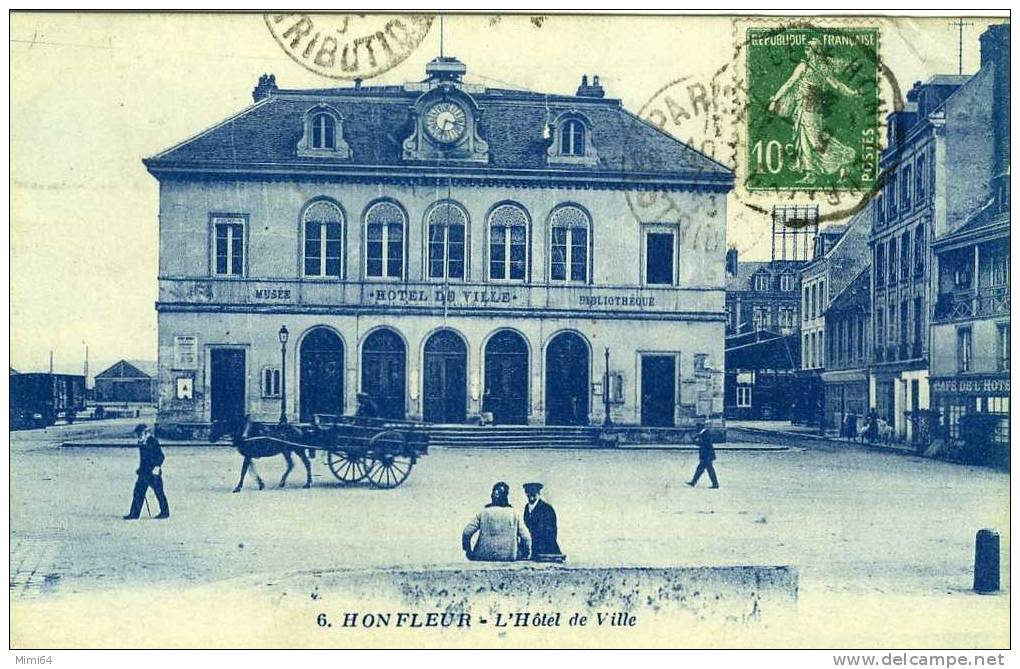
569 371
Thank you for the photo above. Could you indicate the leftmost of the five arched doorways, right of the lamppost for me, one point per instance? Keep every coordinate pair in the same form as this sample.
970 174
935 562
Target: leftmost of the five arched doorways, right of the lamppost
322 385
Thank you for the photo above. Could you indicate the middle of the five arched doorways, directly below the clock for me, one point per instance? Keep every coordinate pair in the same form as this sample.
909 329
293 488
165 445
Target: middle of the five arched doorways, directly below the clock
446 379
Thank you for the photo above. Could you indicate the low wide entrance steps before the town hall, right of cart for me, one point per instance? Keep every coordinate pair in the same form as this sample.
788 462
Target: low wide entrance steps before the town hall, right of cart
514 437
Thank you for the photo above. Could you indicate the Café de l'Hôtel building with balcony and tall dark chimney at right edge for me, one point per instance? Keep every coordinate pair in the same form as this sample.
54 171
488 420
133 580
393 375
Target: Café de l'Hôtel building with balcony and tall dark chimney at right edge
971 331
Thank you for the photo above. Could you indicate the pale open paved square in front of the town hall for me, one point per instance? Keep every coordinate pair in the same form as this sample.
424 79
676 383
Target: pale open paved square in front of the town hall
854 523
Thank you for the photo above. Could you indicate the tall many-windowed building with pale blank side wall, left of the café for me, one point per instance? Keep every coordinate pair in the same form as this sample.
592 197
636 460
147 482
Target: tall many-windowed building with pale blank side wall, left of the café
937 173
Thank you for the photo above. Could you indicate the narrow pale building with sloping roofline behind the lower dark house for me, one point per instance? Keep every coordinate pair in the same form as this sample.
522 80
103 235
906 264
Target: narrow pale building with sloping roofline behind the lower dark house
841 251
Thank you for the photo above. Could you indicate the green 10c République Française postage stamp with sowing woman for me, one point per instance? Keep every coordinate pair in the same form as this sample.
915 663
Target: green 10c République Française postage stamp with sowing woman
812 110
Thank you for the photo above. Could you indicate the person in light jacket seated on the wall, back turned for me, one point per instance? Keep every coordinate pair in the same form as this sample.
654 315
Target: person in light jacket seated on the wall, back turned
502 536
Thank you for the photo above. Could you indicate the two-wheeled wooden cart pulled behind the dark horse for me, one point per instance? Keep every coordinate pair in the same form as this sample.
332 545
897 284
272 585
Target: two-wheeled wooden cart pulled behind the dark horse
358 449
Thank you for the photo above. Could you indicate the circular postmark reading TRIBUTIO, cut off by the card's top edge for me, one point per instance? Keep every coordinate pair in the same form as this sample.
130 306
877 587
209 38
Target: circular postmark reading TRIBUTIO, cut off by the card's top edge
348 46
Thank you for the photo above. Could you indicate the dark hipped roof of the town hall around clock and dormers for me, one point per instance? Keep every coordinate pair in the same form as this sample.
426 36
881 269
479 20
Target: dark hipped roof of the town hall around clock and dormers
378 120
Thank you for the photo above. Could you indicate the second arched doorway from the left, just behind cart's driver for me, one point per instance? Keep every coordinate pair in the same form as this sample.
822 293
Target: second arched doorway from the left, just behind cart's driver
384 379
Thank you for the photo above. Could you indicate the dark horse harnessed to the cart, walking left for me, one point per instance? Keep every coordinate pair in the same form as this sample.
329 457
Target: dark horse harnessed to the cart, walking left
254 441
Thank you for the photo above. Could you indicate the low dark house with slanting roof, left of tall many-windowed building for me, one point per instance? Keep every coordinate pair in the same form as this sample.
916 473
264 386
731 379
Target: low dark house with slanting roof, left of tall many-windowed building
848 353
